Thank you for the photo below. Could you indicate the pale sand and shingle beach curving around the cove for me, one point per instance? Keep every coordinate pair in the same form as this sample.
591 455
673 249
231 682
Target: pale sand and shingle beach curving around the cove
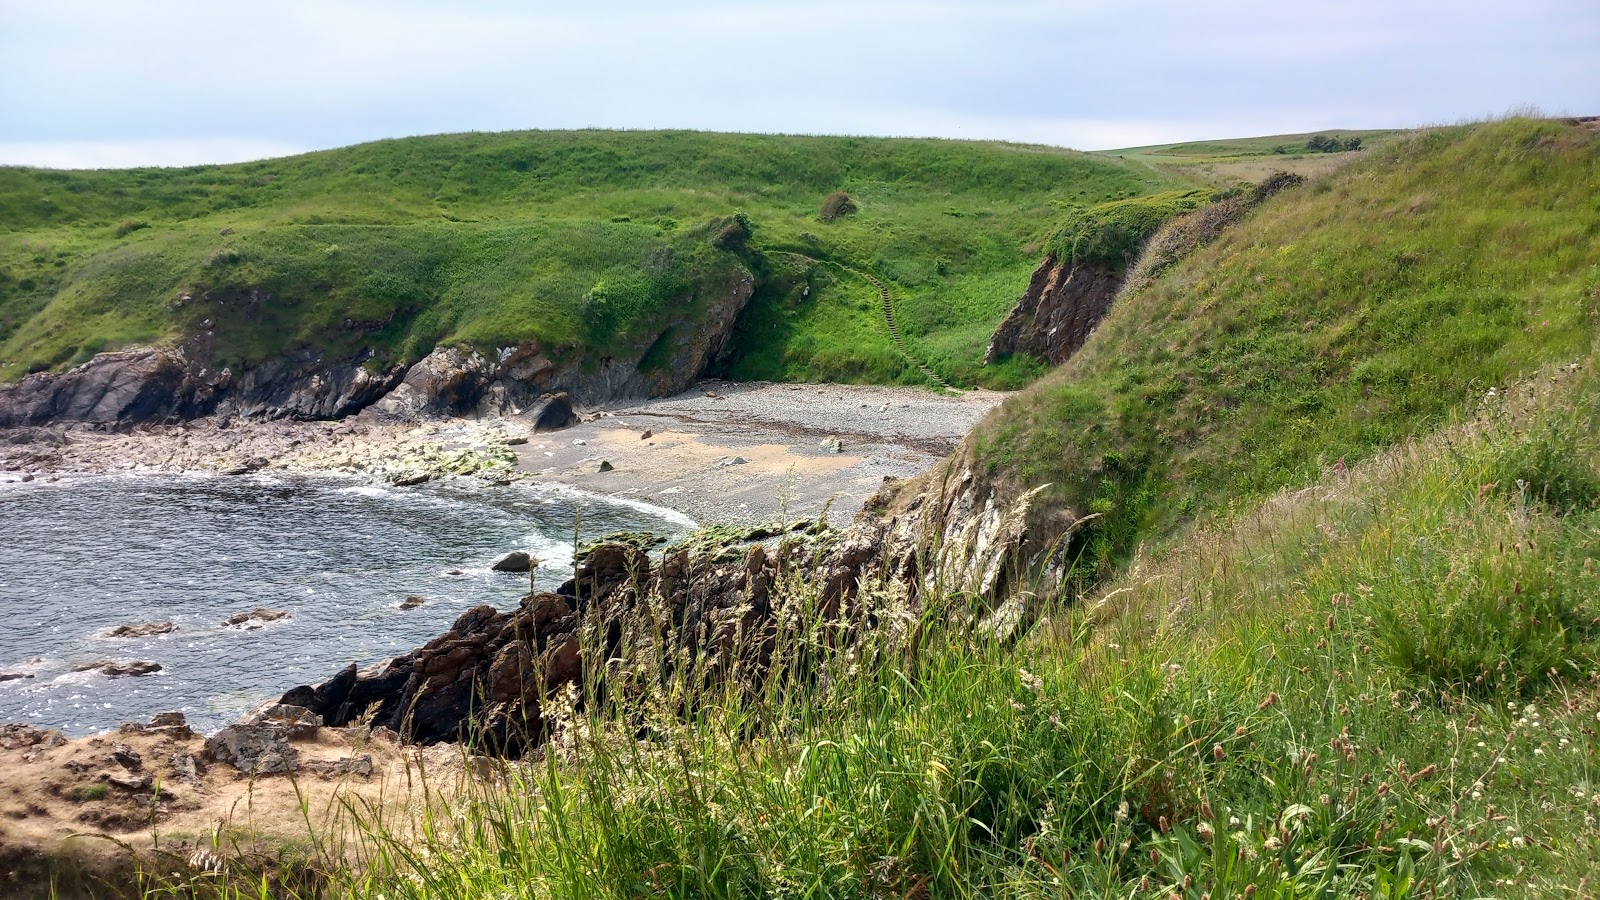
721 454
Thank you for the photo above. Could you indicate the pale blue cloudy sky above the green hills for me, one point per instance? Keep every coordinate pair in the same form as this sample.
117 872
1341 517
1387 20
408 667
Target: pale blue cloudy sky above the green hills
180 82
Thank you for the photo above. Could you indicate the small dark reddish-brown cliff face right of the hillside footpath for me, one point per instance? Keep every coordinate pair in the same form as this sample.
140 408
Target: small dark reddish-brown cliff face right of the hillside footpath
1058 313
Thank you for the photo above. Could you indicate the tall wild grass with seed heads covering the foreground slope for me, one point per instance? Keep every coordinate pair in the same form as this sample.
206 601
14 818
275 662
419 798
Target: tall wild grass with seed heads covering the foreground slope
1382 686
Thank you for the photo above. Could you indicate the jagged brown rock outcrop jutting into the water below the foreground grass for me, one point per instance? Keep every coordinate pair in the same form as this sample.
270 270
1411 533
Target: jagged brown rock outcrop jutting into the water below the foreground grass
630 619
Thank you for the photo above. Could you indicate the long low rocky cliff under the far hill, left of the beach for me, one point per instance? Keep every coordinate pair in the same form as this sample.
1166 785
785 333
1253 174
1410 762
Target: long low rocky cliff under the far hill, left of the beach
158 385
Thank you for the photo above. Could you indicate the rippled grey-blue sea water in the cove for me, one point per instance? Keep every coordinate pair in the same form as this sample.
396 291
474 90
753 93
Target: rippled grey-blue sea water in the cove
82 556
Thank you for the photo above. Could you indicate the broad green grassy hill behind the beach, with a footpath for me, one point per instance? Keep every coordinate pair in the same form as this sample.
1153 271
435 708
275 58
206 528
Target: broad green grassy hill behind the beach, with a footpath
575 239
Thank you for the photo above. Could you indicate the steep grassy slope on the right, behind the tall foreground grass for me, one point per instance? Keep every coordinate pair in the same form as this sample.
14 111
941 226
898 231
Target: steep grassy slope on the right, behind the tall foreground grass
1335 321
